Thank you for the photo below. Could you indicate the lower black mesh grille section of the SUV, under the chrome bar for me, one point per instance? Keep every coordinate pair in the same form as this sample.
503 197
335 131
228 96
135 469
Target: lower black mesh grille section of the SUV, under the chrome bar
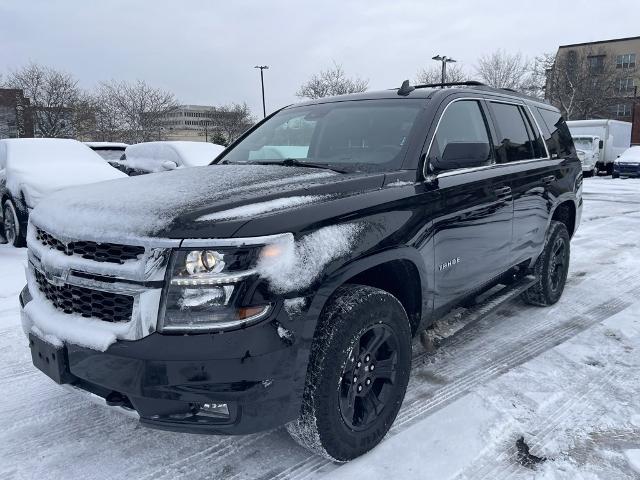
106 306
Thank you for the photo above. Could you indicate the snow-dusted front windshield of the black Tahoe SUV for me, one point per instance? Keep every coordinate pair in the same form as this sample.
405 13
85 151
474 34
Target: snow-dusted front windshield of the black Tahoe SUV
368 135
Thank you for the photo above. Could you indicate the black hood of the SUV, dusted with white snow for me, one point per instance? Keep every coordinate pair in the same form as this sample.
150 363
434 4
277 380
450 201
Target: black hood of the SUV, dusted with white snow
188 203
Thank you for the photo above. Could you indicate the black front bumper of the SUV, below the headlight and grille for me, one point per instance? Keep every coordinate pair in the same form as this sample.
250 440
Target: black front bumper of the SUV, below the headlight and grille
257 372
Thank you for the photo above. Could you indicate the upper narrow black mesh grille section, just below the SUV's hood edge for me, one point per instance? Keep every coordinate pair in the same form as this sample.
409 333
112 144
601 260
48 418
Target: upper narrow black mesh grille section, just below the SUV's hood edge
98 252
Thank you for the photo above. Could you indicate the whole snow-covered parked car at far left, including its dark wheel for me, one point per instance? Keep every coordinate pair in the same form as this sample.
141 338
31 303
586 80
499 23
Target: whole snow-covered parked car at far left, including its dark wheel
31 168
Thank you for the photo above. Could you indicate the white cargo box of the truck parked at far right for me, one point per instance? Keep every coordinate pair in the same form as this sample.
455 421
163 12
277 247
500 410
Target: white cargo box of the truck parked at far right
614 134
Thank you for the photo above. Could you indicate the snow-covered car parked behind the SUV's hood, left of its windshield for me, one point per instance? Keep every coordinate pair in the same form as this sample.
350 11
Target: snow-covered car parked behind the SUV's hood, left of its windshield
150 157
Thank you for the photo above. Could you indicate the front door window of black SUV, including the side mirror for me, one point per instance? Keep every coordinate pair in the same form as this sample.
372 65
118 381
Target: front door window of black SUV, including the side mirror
461 140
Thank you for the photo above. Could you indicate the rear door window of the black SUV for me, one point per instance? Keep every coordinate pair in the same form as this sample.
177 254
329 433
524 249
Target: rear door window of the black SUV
515 134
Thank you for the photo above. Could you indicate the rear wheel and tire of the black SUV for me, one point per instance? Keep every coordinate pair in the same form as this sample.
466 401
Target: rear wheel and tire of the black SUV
551 268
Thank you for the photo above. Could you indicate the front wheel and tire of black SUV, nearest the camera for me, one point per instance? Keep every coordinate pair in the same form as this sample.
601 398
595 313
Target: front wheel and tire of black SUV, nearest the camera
357 375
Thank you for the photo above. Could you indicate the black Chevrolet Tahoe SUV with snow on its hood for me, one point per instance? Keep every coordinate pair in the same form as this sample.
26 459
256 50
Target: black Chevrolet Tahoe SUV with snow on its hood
283 284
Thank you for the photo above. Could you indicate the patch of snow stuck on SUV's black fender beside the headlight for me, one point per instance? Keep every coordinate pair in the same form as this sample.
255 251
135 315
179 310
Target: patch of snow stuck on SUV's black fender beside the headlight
300 263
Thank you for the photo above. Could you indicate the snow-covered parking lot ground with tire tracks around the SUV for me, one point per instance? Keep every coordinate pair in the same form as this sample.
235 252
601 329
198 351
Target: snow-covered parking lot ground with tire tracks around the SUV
565 380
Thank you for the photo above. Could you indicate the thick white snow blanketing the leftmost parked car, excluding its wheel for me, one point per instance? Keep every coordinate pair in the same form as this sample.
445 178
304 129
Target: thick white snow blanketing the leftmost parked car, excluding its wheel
40 166
